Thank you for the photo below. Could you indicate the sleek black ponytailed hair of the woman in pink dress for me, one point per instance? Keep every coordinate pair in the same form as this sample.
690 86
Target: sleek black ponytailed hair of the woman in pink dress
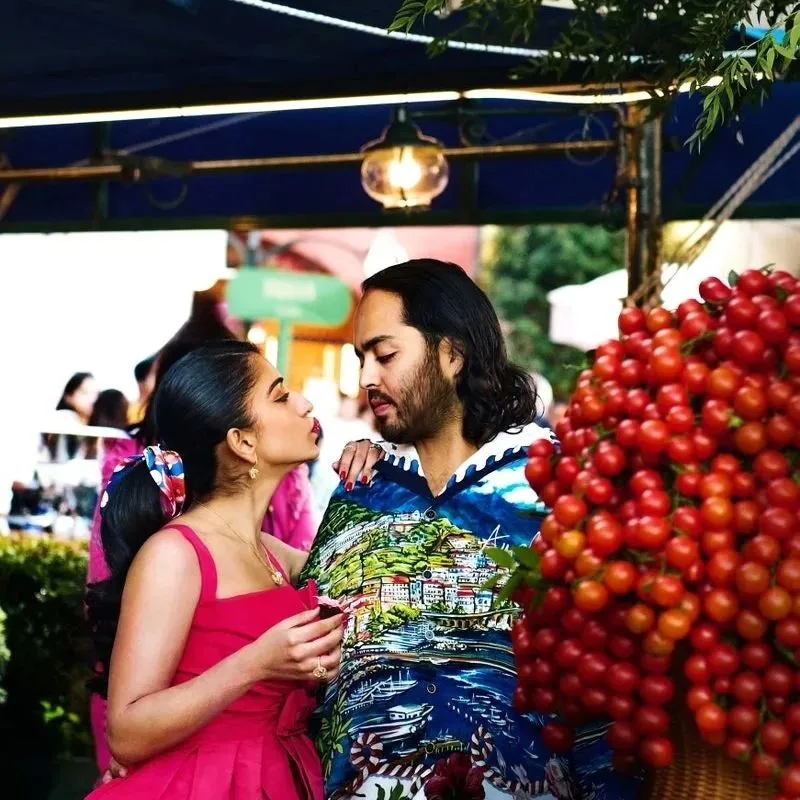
200 399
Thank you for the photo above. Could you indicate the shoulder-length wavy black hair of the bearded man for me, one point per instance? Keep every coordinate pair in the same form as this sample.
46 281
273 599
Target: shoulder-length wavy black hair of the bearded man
442 302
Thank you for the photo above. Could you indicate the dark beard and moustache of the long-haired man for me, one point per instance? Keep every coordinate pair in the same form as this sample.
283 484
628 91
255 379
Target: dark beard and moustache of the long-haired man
423 407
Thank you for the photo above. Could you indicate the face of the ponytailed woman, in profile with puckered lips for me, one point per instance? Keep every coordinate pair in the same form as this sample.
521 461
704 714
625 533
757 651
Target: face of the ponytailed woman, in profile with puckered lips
287 432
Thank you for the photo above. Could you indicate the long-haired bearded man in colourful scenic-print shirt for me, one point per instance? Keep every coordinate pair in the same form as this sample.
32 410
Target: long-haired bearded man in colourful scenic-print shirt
428 669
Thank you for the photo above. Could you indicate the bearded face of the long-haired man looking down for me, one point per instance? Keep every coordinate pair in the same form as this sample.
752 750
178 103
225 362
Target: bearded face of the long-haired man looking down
410 387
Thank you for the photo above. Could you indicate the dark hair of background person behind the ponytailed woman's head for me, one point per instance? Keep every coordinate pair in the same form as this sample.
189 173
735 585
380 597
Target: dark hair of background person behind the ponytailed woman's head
203 326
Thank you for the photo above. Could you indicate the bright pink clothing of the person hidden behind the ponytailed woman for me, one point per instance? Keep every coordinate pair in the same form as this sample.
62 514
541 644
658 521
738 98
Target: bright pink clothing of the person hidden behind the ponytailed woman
290 519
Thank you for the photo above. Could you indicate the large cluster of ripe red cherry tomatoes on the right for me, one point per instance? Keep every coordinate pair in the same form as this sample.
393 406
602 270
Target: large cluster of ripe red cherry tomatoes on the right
673 543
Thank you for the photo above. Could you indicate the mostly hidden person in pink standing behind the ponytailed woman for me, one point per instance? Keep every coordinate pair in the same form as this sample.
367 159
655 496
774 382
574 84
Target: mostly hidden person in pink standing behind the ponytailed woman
290 517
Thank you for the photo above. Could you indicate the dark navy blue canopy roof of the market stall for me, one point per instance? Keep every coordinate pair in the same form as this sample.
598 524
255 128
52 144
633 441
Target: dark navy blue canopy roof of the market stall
97 55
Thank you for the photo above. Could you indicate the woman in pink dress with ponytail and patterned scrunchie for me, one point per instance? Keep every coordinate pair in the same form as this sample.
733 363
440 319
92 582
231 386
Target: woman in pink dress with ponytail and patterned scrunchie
216 656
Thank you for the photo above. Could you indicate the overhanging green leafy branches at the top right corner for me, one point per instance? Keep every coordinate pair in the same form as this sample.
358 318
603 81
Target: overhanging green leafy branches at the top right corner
668 43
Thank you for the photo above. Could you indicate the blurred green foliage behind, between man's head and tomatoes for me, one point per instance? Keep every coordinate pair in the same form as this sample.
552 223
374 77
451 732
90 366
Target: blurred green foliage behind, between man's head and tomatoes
530 262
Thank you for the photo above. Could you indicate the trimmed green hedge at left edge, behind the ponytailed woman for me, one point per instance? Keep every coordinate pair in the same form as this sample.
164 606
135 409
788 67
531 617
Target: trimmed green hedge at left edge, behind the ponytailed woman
45 714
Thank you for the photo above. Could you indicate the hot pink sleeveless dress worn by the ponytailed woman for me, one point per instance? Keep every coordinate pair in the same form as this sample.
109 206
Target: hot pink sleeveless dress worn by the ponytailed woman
258 747
